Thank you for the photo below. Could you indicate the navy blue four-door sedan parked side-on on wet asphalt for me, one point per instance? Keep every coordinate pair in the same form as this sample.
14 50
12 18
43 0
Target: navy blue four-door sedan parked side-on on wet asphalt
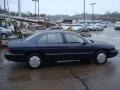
58 46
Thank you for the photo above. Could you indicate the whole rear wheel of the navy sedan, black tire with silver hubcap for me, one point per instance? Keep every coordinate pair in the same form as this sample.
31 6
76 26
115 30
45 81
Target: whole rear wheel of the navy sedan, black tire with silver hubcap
34 61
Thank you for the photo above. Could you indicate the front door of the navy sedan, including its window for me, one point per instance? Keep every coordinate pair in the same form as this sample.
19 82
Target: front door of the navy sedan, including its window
78 48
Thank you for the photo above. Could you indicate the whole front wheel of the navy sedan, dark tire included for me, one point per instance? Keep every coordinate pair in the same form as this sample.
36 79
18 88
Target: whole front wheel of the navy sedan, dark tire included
101 57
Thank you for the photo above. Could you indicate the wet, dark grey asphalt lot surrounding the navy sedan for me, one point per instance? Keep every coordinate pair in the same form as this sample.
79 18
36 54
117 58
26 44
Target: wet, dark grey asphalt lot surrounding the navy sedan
65 76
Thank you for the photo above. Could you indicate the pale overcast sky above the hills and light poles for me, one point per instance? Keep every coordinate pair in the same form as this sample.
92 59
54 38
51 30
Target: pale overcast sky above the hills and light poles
70 7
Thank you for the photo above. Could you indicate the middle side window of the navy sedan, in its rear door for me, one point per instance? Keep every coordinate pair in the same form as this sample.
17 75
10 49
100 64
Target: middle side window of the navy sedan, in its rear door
54 38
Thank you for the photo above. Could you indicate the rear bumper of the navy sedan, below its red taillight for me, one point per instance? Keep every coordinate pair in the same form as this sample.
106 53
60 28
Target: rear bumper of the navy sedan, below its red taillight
14 57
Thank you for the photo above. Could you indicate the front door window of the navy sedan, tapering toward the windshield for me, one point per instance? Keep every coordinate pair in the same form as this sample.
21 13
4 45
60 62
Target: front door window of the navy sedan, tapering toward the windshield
73 38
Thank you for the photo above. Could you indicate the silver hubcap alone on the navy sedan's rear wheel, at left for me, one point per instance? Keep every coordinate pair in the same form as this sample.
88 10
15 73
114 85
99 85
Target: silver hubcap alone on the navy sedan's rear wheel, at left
34 61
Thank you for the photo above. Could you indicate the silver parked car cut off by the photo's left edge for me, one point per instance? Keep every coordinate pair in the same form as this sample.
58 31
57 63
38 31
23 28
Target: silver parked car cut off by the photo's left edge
4 32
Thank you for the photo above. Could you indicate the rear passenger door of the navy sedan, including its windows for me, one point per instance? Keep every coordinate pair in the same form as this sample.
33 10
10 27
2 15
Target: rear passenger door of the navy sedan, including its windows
52 46
